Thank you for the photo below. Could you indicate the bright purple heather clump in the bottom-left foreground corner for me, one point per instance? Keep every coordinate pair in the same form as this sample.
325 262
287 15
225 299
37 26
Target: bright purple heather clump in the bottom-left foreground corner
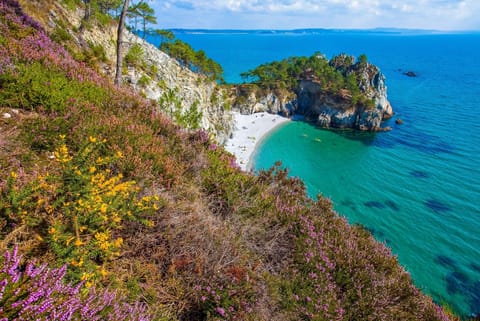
40 293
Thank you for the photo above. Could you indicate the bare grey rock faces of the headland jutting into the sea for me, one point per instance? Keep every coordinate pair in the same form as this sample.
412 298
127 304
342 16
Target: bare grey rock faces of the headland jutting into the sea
326 108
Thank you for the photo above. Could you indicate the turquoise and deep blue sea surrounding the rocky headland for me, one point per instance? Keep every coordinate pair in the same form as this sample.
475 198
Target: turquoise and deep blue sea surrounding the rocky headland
417 187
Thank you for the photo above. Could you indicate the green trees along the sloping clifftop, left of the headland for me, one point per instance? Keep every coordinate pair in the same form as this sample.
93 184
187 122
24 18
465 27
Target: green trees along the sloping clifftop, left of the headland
196 61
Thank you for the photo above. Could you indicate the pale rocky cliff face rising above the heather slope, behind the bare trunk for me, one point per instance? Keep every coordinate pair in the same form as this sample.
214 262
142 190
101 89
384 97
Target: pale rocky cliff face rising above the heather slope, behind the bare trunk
154 75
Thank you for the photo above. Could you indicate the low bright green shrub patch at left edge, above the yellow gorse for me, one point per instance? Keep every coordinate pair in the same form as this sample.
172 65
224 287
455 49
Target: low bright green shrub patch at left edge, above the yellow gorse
48 89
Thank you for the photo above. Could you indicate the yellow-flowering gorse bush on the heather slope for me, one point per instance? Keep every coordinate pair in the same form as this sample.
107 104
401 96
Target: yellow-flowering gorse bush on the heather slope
78 209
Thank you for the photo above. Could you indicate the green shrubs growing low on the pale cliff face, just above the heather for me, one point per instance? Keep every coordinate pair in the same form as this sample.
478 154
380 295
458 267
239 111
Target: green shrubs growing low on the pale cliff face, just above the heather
172 106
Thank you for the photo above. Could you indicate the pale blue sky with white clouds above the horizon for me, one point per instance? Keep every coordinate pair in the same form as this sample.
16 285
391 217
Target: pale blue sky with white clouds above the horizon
331 14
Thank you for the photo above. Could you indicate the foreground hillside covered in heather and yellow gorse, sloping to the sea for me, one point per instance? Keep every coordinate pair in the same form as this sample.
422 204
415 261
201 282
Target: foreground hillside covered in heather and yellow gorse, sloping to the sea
109 196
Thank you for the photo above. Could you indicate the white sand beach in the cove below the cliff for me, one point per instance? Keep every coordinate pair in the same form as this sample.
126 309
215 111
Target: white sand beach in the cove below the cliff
248 131
